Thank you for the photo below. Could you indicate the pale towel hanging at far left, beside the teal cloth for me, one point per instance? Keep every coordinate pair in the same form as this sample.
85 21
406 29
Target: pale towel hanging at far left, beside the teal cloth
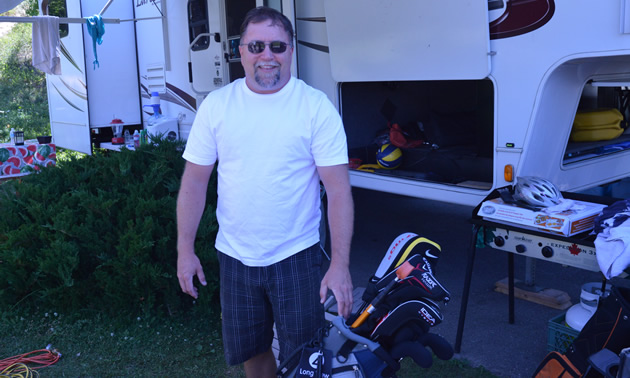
46 44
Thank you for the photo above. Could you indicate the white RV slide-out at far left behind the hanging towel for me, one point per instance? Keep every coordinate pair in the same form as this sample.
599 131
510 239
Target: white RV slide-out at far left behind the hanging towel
91 92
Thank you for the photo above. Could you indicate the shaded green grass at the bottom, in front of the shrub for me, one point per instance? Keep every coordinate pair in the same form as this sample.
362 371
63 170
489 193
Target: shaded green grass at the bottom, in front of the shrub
95 346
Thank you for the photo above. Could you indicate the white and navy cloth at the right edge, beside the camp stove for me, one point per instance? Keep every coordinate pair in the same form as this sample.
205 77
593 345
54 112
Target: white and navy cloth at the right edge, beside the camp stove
613 239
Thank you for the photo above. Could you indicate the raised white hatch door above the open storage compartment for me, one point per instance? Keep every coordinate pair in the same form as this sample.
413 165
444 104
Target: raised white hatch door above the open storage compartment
376 40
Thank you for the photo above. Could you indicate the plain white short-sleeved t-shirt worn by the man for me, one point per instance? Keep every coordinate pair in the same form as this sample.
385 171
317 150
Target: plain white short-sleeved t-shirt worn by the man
268 147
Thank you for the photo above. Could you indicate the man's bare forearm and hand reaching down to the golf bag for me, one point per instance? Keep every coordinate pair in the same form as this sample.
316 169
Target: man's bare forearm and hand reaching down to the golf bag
341 221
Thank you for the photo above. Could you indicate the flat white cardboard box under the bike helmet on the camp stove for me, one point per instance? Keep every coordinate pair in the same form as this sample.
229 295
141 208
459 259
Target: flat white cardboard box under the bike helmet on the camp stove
567 223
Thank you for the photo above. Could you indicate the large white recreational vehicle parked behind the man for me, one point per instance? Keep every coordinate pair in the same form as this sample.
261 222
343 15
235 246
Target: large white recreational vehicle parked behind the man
481 92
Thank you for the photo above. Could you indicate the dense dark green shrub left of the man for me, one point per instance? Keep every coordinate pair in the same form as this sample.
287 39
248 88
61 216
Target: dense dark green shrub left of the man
99 232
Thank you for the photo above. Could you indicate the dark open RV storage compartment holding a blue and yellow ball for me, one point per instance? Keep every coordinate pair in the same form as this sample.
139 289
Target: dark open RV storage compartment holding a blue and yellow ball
454 119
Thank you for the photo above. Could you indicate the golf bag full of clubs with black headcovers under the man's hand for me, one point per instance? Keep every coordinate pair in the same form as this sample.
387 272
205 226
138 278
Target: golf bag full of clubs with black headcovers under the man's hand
398 327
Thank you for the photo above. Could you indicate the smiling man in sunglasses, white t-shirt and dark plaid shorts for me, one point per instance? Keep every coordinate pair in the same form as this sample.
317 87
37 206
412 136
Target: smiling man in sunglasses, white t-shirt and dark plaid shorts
274 138
